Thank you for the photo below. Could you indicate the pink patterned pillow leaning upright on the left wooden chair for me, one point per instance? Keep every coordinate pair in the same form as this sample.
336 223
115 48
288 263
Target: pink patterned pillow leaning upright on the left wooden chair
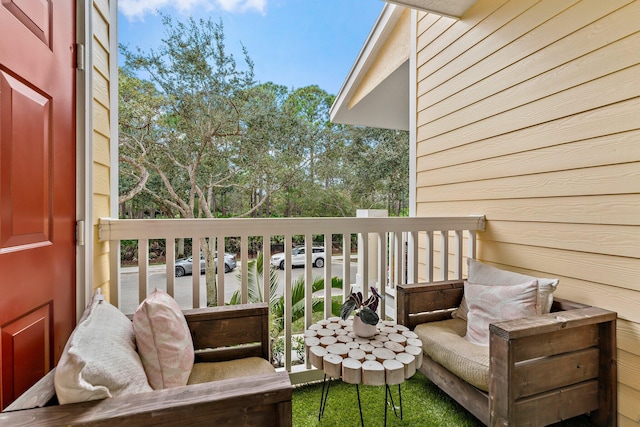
164 341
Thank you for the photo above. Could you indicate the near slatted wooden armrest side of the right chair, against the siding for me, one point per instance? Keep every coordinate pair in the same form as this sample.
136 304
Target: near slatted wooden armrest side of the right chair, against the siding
564 362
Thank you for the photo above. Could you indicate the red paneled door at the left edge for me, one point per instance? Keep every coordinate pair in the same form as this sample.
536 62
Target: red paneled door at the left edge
37 189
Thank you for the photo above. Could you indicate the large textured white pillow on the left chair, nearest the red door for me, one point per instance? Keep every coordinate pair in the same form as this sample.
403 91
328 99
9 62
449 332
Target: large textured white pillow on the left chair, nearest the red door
100 358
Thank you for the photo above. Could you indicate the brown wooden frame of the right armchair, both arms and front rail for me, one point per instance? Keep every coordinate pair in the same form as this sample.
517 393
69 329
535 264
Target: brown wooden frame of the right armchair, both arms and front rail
542 370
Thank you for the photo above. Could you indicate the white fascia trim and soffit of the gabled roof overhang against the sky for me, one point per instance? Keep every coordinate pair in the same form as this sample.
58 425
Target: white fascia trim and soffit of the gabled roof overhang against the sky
386 105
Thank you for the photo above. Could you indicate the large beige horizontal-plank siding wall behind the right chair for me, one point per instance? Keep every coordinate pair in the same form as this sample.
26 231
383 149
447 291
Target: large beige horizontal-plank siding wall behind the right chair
529 112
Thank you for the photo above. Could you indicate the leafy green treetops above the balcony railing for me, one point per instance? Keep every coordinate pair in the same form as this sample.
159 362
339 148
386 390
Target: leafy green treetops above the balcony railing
199 138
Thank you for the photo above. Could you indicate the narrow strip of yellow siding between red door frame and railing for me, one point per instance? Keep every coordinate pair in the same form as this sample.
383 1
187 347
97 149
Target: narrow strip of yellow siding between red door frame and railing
101 107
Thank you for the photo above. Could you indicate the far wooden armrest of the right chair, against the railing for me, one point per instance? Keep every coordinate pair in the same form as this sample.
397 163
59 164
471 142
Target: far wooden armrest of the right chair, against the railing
427 302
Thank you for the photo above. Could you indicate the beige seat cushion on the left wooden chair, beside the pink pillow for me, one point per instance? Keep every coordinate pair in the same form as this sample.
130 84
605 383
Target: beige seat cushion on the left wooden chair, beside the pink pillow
216 371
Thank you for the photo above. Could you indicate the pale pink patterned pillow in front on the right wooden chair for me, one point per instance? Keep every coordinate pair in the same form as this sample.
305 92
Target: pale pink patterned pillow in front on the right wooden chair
491 304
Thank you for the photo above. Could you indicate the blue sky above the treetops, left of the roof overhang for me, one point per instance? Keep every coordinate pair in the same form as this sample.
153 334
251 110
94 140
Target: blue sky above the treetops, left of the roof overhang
295 43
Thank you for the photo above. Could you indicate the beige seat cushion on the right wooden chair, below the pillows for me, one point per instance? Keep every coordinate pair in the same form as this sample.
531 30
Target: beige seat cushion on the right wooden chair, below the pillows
444 342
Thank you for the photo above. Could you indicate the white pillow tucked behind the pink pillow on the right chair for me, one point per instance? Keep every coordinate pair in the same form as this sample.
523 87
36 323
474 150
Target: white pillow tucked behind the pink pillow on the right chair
484 274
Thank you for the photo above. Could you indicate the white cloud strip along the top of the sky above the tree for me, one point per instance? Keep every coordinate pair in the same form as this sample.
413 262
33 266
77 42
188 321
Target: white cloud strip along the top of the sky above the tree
137 9
